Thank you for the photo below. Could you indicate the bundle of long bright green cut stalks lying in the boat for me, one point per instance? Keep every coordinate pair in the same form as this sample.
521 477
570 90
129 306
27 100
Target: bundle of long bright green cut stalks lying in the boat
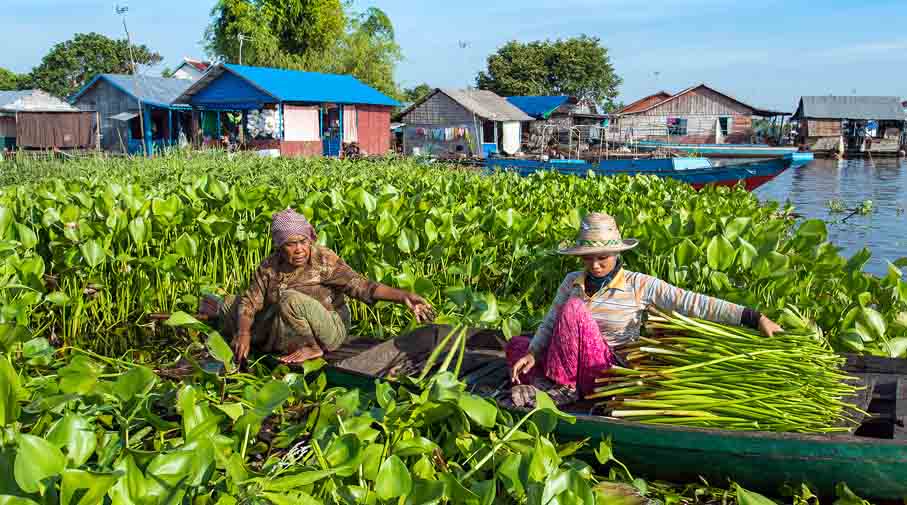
699 373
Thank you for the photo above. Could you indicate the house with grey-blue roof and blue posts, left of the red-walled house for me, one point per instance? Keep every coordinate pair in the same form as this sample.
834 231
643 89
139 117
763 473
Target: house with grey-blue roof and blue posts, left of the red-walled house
120 100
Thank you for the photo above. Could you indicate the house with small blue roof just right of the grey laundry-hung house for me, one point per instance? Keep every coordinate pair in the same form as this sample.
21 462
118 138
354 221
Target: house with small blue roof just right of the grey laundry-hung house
560 120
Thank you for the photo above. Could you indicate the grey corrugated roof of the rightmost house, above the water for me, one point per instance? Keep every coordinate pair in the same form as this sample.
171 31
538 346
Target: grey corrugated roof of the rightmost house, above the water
851 107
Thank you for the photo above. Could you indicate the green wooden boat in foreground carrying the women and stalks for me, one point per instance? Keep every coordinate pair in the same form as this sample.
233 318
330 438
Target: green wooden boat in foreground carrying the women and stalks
872 467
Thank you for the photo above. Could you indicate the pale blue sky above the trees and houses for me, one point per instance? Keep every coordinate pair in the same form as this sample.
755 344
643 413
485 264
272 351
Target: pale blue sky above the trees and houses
767 52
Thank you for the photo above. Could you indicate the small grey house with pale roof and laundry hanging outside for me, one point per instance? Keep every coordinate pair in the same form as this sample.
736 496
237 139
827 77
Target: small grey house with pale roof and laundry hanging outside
452 122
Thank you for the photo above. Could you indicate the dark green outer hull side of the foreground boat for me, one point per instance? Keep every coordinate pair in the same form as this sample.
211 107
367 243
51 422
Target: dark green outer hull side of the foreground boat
761 461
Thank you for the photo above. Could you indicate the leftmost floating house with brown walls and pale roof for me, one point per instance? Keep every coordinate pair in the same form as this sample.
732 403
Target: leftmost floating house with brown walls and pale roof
33 119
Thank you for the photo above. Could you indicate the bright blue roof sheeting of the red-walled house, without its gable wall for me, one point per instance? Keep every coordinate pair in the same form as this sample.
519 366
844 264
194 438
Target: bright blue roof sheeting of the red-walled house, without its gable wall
297 86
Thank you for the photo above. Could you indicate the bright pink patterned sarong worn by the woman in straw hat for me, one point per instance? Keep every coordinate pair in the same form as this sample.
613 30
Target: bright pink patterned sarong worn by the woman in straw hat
576 355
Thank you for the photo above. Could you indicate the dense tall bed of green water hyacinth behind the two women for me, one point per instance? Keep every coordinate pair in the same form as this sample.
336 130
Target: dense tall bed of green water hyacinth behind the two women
91 247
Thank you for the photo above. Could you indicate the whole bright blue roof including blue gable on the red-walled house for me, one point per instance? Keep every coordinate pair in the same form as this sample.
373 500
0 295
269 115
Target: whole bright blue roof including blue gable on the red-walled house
279 85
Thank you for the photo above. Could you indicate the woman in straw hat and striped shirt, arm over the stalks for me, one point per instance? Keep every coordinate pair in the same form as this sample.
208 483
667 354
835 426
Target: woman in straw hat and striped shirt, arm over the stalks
601 308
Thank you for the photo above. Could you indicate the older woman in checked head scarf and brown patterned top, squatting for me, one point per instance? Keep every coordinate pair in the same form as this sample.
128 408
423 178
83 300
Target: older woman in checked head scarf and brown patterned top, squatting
295 304
